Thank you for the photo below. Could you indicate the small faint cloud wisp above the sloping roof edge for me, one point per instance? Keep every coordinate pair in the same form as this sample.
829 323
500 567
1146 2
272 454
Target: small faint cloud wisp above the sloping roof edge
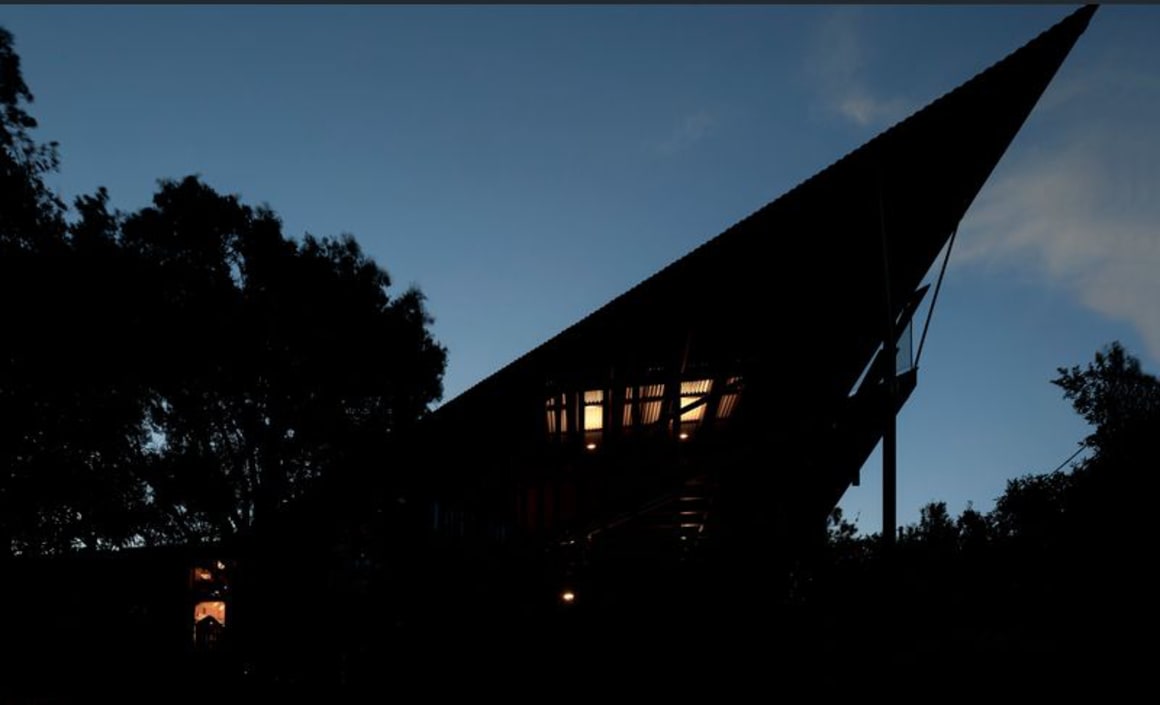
838 69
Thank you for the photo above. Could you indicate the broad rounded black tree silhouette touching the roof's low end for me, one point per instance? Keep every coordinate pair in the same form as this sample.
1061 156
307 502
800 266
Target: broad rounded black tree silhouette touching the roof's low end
282 360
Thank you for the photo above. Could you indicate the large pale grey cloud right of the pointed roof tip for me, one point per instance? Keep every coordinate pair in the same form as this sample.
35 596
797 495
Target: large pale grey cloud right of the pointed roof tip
1082 208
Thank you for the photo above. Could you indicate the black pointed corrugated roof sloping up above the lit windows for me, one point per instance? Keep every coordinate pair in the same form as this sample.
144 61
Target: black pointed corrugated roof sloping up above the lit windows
799 286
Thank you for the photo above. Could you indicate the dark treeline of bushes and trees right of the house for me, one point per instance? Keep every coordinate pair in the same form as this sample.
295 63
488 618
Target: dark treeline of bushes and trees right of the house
1057 576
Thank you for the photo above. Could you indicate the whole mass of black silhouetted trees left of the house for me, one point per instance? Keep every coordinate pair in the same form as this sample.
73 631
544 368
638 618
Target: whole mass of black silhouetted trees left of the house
186 372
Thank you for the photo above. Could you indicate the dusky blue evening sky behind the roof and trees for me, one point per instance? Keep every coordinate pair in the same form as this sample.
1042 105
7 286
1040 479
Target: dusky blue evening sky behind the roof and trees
525 165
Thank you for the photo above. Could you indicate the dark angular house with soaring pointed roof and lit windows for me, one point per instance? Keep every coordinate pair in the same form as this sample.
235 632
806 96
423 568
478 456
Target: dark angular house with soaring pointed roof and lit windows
727 403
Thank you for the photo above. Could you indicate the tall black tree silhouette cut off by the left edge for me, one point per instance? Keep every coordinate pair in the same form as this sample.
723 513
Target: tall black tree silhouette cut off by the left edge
67 433
